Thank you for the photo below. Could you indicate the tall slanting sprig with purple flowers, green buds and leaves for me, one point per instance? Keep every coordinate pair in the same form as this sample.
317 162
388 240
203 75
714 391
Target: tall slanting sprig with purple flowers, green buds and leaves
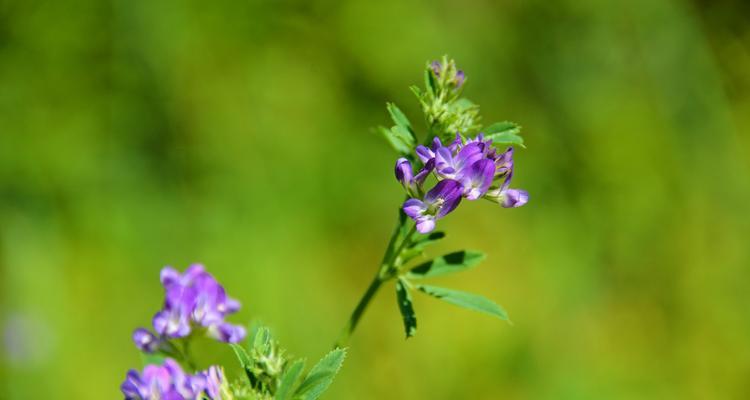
457 161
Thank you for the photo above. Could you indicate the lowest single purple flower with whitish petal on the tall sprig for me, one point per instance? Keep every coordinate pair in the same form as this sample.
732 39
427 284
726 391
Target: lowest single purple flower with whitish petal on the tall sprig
437 203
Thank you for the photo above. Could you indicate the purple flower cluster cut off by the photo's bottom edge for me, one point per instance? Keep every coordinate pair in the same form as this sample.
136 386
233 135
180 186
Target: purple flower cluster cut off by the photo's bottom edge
170 382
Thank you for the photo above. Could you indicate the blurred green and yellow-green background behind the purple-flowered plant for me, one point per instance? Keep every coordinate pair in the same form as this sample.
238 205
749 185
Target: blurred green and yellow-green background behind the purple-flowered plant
138 134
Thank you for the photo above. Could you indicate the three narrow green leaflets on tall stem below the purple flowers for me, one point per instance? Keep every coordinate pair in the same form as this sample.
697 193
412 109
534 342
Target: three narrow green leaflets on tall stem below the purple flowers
443 265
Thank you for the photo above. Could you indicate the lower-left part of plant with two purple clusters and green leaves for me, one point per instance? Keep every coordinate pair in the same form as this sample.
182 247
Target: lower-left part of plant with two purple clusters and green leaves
195 305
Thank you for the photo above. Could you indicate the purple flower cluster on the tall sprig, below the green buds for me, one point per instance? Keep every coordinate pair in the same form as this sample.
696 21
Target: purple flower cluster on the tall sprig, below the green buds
470 169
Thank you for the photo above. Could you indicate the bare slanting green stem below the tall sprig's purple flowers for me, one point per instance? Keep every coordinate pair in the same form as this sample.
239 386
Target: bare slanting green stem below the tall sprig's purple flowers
385 273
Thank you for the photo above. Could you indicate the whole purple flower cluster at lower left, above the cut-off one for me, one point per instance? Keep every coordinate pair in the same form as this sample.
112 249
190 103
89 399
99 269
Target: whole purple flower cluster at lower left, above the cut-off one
194 301
